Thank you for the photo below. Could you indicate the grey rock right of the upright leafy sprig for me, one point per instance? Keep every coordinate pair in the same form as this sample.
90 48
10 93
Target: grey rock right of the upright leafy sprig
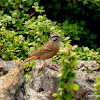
86 79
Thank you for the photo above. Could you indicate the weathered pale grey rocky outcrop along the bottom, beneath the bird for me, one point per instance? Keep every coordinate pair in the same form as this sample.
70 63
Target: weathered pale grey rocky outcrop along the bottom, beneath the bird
44 81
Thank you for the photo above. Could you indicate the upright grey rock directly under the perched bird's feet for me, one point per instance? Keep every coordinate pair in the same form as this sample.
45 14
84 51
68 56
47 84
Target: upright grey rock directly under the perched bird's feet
44 79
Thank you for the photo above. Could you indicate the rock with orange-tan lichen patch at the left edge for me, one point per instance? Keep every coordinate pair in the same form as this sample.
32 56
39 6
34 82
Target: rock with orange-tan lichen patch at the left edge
11 80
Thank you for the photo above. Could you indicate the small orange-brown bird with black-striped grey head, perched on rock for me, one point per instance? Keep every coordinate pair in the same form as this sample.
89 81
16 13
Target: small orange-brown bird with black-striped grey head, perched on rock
48 50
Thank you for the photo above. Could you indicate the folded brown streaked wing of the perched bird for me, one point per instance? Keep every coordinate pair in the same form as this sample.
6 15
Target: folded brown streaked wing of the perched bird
48 47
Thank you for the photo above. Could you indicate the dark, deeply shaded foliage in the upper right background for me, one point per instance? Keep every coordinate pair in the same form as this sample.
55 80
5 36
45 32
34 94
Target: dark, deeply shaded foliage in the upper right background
80 19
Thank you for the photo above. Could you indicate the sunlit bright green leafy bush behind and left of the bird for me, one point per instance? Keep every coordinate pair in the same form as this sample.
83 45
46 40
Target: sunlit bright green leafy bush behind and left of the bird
20 32
